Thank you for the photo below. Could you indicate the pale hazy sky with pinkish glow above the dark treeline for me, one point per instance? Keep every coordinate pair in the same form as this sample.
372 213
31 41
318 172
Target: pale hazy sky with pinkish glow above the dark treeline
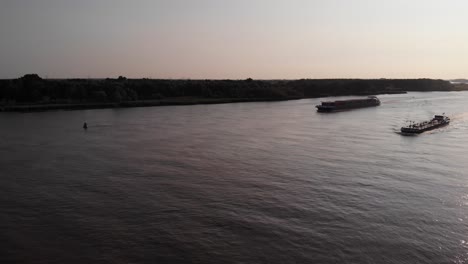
234 39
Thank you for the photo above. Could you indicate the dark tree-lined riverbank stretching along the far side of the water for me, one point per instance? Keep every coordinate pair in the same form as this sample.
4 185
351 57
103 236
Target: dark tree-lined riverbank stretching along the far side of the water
32 93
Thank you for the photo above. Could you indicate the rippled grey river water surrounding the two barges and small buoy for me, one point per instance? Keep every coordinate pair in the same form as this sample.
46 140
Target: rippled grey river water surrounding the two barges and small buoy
236 183
